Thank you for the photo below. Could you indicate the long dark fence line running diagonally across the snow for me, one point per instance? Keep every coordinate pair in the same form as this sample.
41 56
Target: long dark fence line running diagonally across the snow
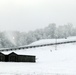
27 47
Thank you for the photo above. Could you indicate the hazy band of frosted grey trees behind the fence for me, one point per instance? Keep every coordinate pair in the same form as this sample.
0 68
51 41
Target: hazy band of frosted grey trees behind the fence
16 38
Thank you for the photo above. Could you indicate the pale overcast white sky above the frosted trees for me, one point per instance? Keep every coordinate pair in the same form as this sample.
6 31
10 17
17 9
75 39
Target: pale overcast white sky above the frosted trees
26 15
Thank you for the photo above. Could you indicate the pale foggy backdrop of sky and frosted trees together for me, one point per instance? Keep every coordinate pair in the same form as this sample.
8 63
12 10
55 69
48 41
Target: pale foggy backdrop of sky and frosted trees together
25 21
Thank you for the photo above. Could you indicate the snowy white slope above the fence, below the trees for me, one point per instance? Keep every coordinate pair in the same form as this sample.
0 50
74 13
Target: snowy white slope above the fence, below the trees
48 41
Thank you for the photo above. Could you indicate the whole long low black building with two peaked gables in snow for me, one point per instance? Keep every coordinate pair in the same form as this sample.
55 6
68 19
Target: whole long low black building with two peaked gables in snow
13 57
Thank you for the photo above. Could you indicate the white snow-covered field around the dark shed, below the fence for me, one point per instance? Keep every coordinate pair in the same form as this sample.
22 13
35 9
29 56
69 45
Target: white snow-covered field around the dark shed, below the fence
48 61
